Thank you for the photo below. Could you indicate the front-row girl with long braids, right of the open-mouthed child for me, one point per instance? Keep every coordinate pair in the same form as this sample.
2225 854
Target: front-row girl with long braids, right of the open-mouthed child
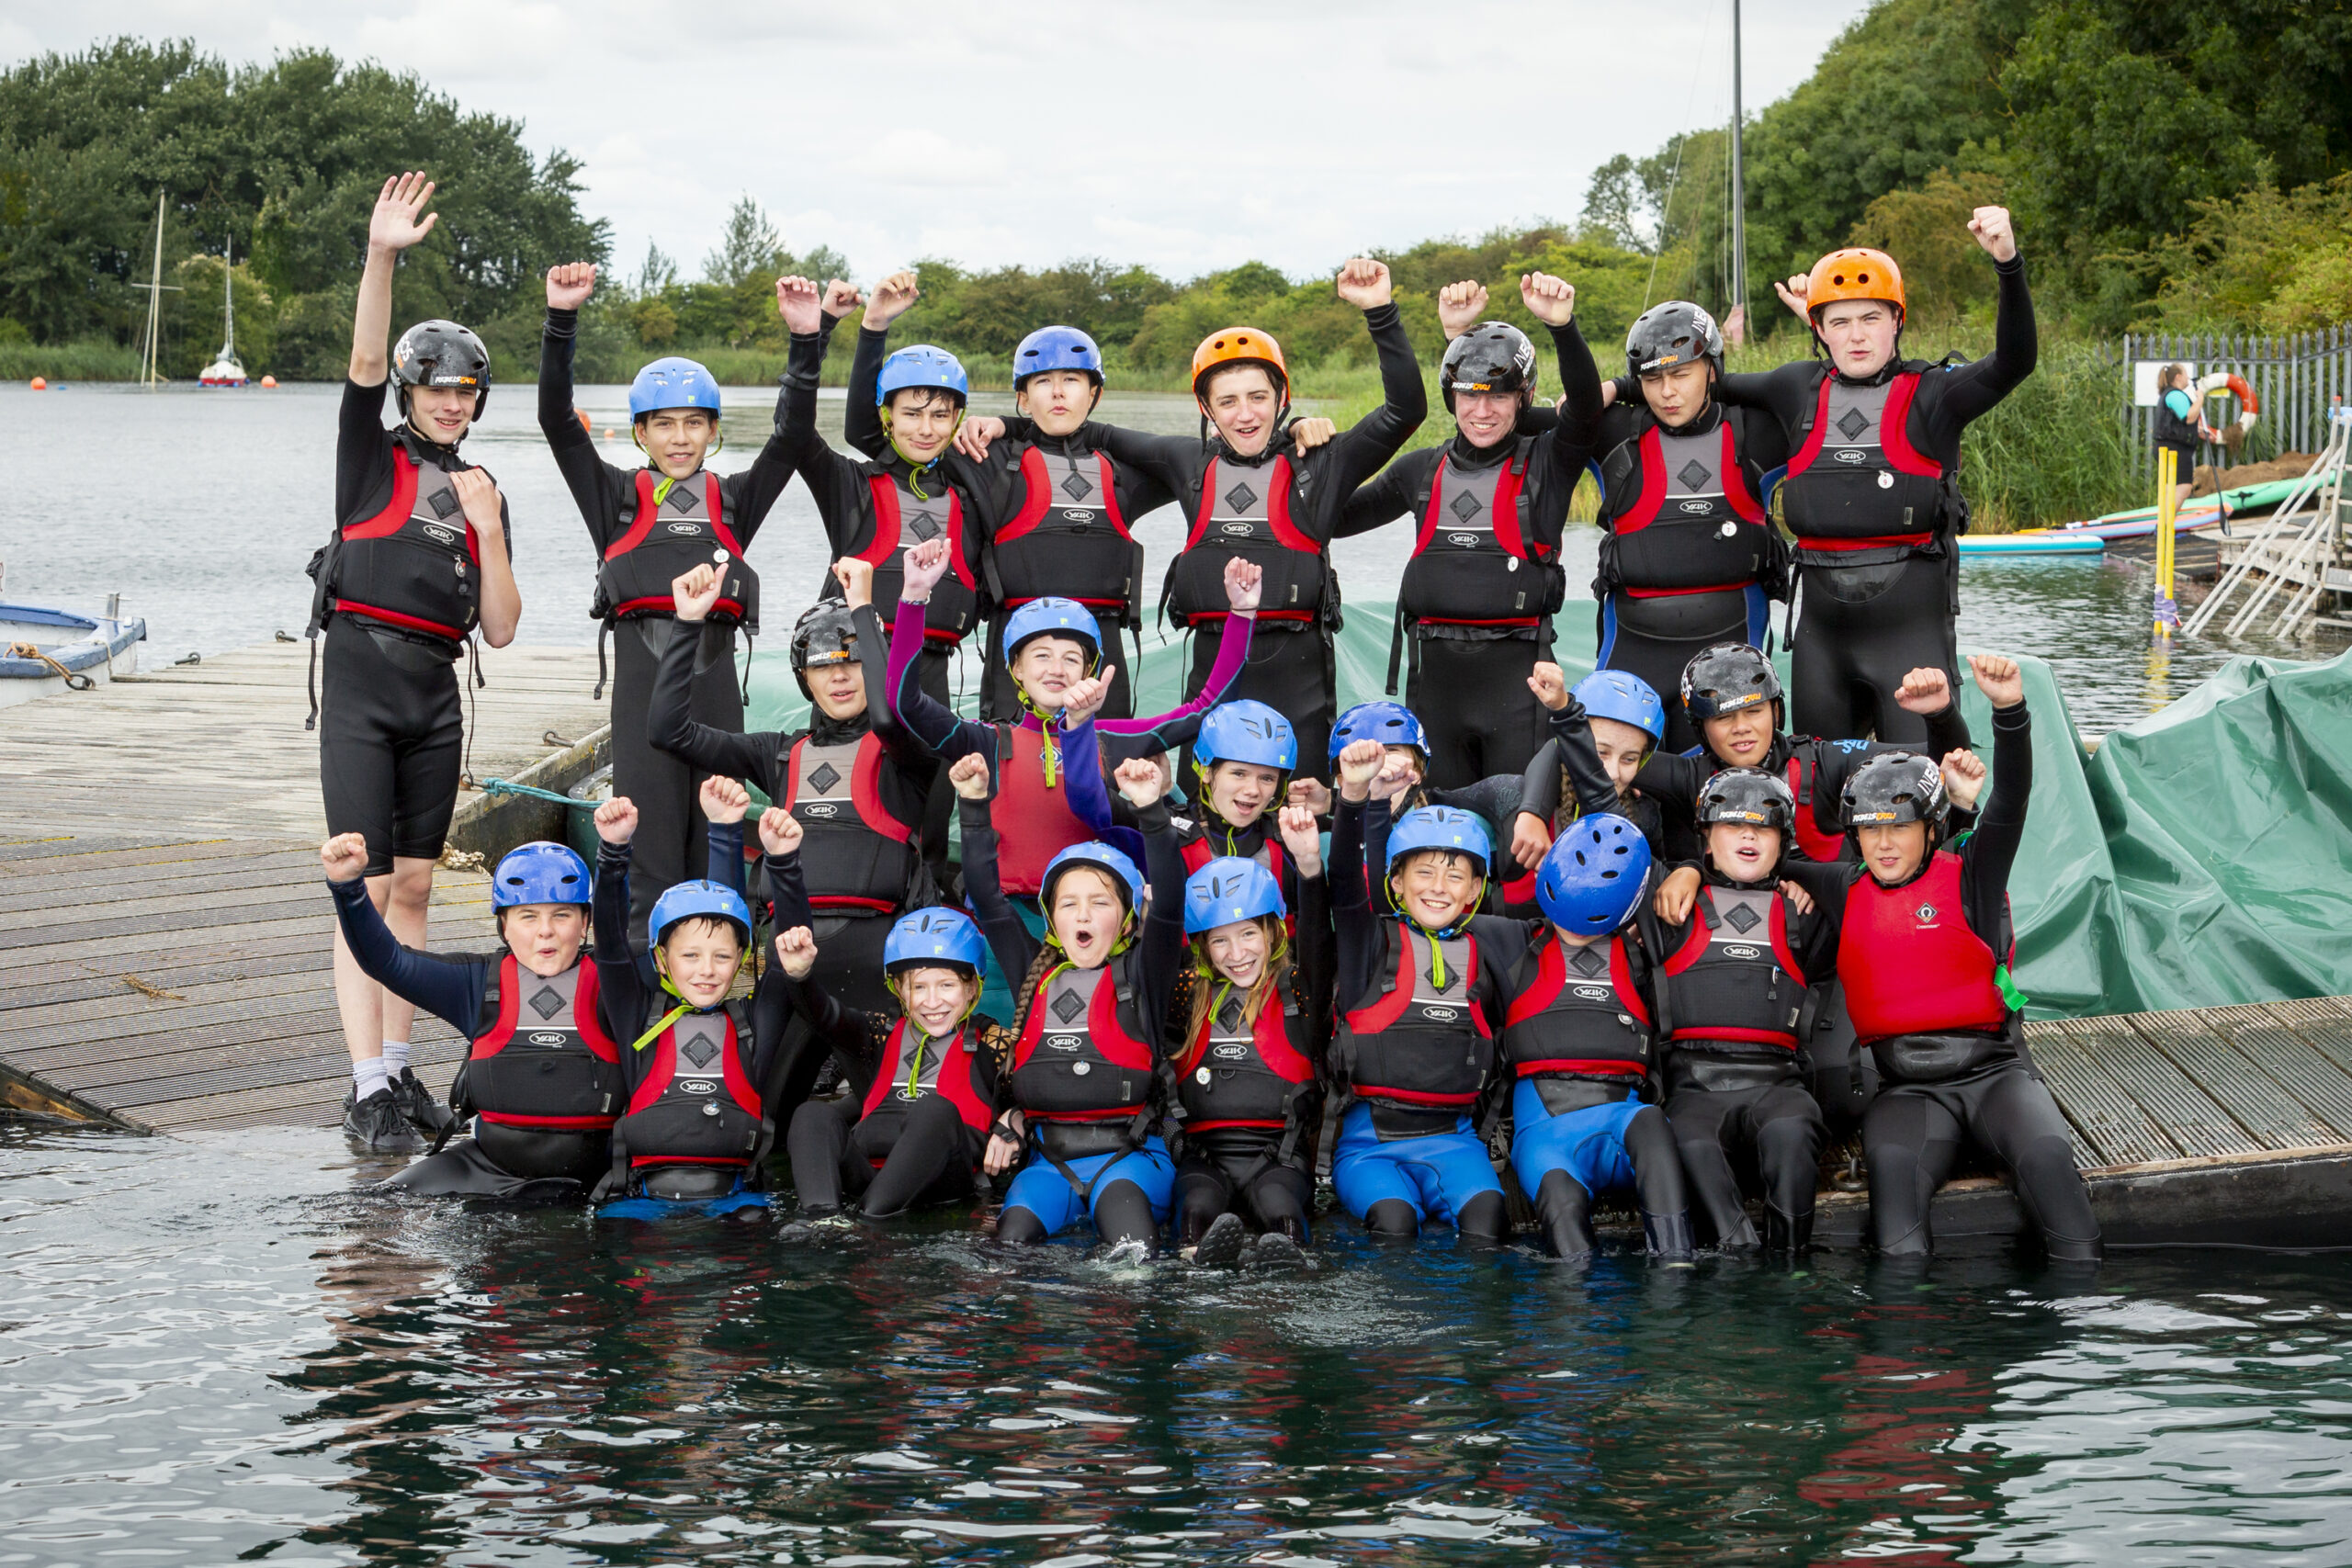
1255 1028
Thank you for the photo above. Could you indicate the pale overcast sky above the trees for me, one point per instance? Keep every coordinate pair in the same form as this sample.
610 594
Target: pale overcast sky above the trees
1187 135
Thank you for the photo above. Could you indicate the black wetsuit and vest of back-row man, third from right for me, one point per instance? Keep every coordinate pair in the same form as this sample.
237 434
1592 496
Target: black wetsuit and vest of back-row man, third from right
1481 591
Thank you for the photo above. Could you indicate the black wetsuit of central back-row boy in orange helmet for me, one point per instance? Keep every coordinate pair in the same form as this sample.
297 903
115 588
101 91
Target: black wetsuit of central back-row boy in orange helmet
1292 659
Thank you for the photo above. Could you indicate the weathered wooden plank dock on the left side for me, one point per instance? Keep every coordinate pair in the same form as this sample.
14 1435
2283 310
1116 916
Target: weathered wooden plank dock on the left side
163 927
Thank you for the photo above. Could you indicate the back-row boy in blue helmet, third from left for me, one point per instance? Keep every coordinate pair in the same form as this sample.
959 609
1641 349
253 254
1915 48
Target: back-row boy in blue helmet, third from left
909 485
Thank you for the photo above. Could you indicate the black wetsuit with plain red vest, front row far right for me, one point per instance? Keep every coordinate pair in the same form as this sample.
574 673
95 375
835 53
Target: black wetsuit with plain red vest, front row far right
1956 1080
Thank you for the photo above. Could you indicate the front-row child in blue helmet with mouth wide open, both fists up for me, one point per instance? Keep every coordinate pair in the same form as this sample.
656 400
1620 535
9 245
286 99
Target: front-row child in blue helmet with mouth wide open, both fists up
1088 1078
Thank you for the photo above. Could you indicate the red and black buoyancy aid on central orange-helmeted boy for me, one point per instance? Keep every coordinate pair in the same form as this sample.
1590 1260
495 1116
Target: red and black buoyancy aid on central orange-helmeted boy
1248 511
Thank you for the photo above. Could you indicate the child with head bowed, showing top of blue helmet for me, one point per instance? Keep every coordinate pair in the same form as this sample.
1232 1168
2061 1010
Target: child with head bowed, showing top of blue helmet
1579 1047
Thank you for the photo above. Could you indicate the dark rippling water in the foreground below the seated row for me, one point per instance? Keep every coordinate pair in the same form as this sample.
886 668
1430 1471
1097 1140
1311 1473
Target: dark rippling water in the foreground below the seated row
213 1351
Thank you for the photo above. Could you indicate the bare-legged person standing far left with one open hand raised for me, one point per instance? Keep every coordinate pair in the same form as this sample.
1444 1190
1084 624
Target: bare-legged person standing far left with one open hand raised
417 565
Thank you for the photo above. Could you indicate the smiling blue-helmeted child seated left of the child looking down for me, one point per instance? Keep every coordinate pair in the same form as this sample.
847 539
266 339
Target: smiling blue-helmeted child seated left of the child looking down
1422 989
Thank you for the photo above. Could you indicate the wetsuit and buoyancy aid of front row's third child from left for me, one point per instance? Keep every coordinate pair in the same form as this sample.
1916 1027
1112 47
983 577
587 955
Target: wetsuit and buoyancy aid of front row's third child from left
893 1151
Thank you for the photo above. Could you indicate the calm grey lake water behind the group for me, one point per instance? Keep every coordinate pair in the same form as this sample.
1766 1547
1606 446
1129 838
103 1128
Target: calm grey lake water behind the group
201 509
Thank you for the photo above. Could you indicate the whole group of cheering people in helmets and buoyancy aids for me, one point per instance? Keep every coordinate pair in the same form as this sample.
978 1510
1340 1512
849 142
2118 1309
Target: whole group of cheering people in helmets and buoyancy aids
1662 932
